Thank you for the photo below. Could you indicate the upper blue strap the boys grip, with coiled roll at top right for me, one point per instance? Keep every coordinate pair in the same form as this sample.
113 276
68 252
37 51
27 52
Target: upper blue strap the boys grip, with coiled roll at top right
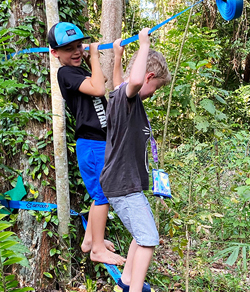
229 9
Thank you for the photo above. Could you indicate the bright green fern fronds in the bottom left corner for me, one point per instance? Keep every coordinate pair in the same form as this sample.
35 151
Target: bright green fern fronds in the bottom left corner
11 252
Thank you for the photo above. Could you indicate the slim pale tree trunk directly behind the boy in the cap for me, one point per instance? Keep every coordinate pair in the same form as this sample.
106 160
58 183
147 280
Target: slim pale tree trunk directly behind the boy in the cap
60 146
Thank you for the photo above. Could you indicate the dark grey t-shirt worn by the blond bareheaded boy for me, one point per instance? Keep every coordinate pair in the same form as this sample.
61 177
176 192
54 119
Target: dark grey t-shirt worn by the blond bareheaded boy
126 162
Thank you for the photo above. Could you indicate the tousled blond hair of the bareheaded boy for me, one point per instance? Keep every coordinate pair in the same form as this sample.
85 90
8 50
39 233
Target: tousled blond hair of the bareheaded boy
155 63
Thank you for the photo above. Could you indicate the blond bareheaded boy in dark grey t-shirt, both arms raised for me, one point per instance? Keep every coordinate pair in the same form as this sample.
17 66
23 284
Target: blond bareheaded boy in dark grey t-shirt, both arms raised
125 172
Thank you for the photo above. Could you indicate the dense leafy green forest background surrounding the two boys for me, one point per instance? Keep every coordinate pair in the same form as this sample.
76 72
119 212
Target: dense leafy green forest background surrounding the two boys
203 143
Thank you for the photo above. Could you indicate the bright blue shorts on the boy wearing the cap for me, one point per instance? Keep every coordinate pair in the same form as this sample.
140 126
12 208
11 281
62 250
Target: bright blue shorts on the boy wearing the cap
90 156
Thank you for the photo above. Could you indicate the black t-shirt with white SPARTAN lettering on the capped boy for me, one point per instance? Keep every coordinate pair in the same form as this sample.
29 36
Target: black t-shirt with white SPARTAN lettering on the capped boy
89 111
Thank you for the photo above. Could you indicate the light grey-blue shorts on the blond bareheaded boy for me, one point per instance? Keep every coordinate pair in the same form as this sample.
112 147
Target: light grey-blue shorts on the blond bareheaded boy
136 215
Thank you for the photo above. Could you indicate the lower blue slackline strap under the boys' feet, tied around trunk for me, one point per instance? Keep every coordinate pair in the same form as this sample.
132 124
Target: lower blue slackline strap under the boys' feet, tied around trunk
38 206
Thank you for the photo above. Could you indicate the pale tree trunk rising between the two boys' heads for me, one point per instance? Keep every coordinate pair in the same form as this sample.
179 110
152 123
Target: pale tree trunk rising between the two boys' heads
111 27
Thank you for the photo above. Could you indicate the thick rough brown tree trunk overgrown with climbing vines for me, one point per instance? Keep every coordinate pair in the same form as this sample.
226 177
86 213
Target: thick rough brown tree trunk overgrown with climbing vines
28 229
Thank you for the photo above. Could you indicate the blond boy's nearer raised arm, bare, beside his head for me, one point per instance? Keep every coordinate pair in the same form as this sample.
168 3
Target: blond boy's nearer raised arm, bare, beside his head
138 70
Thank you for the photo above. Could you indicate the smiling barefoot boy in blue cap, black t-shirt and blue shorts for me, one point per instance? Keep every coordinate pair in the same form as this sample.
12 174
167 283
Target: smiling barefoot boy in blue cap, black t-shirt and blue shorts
84 95
